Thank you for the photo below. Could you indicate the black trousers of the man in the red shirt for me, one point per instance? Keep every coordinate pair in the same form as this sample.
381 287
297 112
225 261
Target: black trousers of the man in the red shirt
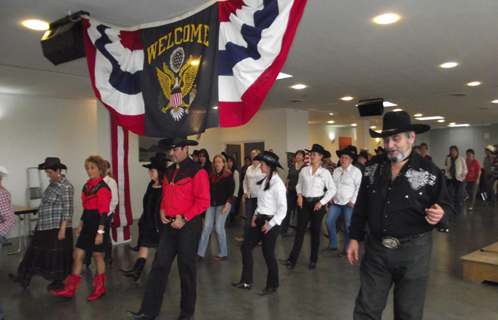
173 243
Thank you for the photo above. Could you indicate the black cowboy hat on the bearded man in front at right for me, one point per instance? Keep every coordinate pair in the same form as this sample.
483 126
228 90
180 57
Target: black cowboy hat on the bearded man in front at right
397 122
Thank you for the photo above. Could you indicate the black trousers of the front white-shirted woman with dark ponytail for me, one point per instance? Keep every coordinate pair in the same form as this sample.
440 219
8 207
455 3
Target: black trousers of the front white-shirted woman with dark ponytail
253 237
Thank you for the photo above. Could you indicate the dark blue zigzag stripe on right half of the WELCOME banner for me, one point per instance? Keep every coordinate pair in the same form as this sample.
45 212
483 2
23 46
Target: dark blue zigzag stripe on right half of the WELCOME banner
252 35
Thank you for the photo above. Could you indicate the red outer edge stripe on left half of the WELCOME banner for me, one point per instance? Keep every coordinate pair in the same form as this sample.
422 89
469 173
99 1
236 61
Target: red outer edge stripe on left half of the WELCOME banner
133 123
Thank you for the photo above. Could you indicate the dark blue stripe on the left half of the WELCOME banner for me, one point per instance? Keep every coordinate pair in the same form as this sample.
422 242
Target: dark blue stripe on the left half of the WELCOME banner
123 81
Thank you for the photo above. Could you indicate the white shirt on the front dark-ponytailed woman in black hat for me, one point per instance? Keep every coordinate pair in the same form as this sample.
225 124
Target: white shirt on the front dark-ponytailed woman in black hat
272 202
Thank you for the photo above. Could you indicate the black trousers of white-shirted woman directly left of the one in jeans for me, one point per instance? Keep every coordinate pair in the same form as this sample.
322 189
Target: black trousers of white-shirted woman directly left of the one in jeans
304 216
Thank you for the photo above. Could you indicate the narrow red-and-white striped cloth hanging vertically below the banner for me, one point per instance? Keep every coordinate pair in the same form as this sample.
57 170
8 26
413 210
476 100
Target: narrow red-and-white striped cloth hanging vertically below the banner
123 217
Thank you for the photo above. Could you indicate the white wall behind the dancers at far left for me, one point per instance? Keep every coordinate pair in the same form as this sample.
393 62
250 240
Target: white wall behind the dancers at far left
33 128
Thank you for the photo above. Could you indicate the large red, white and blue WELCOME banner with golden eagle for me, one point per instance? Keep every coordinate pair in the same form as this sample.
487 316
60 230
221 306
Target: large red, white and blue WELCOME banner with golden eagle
210 67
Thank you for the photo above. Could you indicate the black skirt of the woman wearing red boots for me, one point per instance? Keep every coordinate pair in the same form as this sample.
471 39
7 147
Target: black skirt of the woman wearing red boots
86 240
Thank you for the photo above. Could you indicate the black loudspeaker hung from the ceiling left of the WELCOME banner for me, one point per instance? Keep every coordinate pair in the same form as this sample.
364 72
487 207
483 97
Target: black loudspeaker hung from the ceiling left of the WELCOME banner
64 41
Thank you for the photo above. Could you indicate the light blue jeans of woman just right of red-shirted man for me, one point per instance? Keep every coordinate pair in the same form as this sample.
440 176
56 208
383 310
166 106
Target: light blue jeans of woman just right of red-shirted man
213 213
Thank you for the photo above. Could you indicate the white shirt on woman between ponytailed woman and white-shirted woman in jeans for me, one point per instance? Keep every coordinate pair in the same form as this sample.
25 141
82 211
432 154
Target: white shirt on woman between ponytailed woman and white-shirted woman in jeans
313 185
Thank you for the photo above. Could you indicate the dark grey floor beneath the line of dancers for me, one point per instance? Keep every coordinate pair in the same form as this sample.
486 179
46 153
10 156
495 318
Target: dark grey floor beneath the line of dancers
325 293
